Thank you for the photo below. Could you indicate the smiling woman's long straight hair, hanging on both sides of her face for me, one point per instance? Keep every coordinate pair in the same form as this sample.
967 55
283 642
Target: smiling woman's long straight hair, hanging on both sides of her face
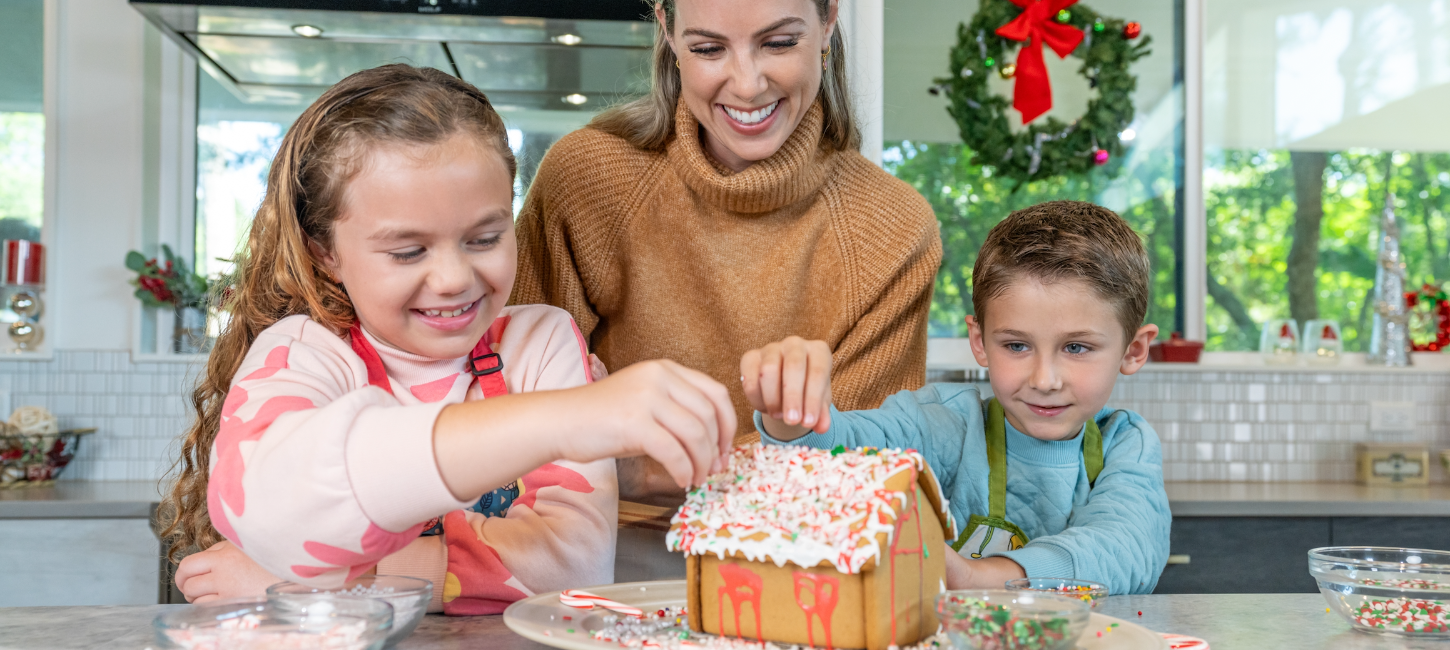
649 123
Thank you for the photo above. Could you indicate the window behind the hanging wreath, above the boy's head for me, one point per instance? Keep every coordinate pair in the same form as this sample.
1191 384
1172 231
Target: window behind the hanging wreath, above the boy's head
924 149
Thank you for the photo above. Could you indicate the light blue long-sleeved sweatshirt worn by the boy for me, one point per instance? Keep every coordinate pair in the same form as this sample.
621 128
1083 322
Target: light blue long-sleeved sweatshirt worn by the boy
1116 533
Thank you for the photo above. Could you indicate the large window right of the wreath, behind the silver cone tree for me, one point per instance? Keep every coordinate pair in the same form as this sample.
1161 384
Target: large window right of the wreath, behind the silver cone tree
1314 114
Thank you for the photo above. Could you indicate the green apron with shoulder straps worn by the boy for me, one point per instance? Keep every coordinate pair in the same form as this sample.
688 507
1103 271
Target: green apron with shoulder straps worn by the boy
994 533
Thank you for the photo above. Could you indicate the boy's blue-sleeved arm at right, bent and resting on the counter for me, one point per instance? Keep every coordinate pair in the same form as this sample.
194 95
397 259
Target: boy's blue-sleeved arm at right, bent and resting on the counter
1120 538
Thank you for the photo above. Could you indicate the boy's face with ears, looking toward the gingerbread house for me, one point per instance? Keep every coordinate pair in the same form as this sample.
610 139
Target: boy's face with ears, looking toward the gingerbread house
1055 353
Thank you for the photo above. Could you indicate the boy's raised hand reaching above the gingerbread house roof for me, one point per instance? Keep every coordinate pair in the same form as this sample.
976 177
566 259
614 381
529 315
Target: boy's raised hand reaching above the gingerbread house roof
790 382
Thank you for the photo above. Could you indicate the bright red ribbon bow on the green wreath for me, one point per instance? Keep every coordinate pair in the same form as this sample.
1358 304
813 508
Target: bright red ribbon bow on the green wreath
1036 25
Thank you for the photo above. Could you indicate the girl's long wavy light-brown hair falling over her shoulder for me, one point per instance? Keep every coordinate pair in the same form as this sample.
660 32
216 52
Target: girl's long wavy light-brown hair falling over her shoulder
278 275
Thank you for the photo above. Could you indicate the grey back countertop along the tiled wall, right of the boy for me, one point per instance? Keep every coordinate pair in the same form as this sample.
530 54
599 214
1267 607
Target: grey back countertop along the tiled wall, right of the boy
1306 500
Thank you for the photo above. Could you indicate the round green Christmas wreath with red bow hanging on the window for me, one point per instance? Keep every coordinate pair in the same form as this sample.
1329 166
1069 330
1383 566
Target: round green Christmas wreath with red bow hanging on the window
1106 46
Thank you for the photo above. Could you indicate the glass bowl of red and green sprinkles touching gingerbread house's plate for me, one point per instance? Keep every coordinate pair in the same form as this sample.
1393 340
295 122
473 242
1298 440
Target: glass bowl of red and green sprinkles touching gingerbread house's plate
1001 620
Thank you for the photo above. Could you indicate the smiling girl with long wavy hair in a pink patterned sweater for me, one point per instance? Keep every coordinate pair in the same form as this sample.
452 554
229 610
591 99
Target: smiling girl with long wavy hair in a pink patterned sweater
375 406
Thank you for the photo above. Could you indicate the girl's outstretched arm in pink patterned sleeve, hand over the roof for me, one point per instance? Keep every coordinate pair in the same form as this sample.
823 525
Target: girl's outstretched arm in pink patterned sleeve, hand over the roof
318 477
